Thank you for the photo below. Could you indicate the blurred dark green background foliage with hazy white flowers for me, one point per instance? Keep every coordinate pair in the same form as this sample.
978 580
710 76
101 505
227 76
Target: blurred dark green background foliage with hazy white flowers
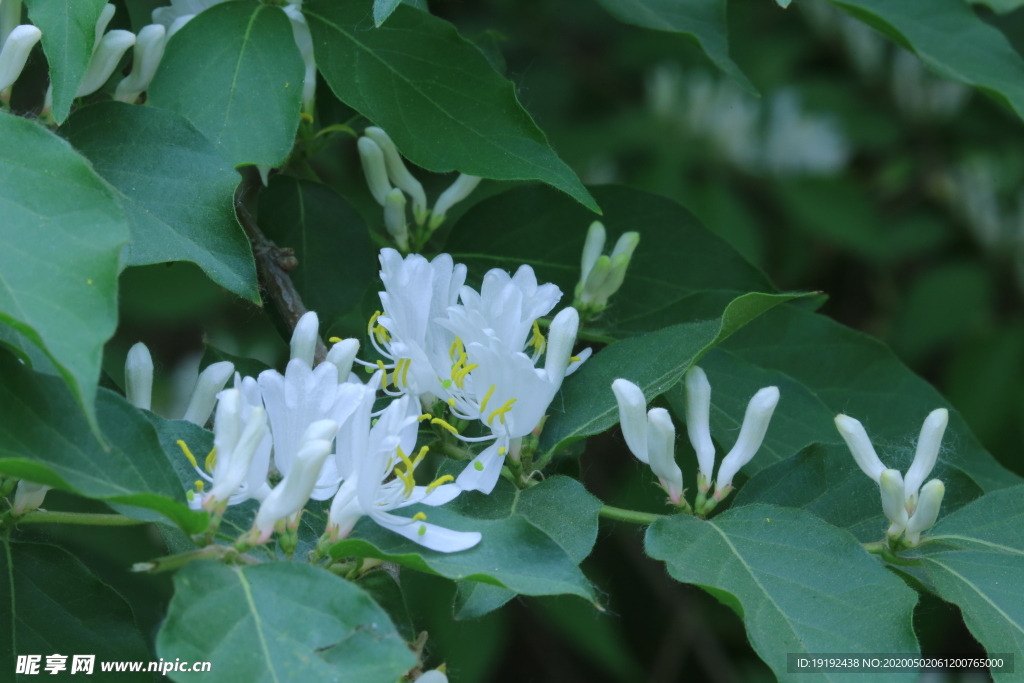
856 173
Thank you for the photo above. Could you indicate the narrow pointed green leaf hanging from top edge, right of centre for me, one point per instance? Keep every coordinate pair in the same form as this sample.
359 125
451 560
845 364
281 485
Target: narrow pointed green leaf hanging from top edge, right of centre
702 21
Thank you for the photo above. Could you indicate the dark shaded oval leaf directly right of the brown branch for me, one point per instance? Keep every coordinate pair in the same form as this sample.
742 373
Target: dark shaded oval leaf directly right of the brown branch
331 242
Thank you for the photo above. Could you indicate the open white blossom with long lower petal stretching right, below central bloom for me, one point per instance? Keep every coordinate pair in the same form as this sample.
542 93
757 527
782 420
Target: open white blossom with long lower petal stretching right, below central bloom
369 453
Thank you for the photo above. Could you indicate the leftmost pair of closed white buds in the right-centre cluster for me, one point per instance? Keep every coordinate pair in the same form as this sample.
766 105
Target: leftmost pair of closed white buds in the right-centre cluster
651 438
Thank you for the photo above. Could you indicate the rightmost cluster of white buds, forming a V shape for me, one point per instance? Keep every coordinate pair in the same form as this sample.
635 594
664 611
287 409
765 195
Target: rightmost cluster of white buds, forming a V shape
908 490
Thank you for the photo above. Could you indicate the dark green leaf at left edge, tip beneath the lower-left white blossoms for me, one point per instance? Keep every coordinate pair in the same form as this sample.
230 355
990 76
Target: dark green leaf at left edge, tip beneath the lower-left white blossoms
45 439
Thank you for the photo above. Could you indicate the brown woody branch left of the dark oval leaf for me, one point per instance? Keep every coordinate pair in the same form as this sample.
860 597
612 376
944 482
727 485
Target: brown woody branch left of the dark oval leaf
273 263
